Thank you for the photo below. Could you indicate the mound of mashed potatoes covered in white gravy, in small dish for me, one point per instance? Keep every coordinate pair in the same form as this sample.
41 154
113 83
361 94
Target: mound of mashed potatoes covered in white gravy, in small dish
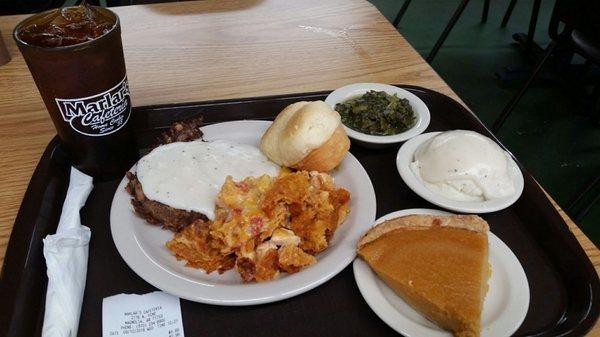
463 166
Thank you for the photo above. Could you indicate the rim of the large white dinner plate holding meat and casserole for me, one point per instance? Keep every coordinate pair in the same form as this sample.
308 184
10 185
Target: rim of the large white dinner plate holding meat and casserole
133 255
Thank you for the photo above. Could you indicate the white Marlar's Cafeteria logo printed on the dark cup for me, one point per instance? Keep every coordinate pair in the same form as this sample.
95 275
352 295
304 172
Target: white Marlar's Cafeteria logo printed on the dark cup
100 114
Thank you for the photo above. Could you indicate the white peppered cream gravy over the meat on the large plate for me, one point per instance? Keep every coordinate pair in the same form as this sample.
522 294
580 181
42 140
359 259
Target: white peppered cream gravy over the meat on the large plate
189 175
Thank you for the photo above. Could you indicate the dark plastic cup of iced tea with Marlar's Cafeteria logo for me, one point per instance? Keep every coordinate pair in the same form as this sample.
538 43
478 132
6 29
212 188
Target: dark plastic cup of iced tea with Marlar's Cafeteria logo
75 56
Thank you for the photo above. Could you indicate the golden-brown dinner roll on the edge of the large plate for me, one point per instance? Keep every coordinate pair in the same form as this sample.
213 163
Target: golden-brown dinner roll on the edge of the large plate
306 136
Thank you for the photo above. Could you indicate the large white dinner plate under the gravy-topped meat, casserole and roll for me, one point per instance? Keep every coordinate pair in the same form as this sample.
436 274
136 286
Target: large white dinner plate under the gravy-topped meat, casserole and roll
142 245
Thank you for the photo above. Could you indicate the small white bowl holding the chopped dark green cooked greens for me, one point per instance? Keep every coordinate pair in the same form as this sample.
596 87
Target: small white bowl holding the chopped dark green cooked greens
419 108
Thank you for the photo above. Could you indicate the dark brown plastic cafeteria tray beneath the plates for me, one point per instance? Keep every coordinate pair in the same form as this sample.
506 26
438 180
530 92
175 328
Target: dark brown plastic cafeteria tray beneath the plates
563 284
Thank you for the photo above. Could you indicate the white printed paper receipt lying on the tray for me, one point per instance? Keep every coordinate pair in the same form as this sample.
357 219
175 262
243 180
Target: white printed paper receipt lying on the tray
156 314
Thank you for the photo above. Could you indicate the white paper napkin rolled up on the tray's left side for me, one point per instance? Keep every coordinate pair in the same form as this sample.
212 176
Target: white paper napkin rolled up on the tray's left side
66 254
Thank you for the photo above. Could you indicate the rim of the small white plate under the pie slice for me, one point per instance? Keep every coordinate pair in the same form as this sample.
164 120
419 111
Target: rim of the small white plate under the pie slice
366 282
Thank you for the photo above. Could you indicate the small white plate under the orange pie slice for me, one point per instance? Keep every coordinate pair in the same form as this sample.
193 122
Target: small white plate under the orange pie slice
505 305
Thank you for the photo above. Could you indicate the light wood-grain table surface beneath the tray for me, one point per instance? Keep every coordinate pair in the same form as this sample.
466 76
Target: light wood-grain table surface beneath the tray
215 49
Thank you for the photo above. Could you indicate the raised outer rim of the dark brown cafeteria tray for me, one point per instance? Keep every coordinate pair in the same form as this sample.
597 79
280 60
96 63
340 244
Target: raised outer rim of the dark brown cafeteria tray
43 166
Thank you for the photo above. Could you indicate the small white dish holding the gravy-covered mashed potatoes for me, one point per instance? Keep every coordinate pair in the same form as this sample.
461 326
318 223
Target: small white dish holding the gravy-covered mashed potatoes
406 156
